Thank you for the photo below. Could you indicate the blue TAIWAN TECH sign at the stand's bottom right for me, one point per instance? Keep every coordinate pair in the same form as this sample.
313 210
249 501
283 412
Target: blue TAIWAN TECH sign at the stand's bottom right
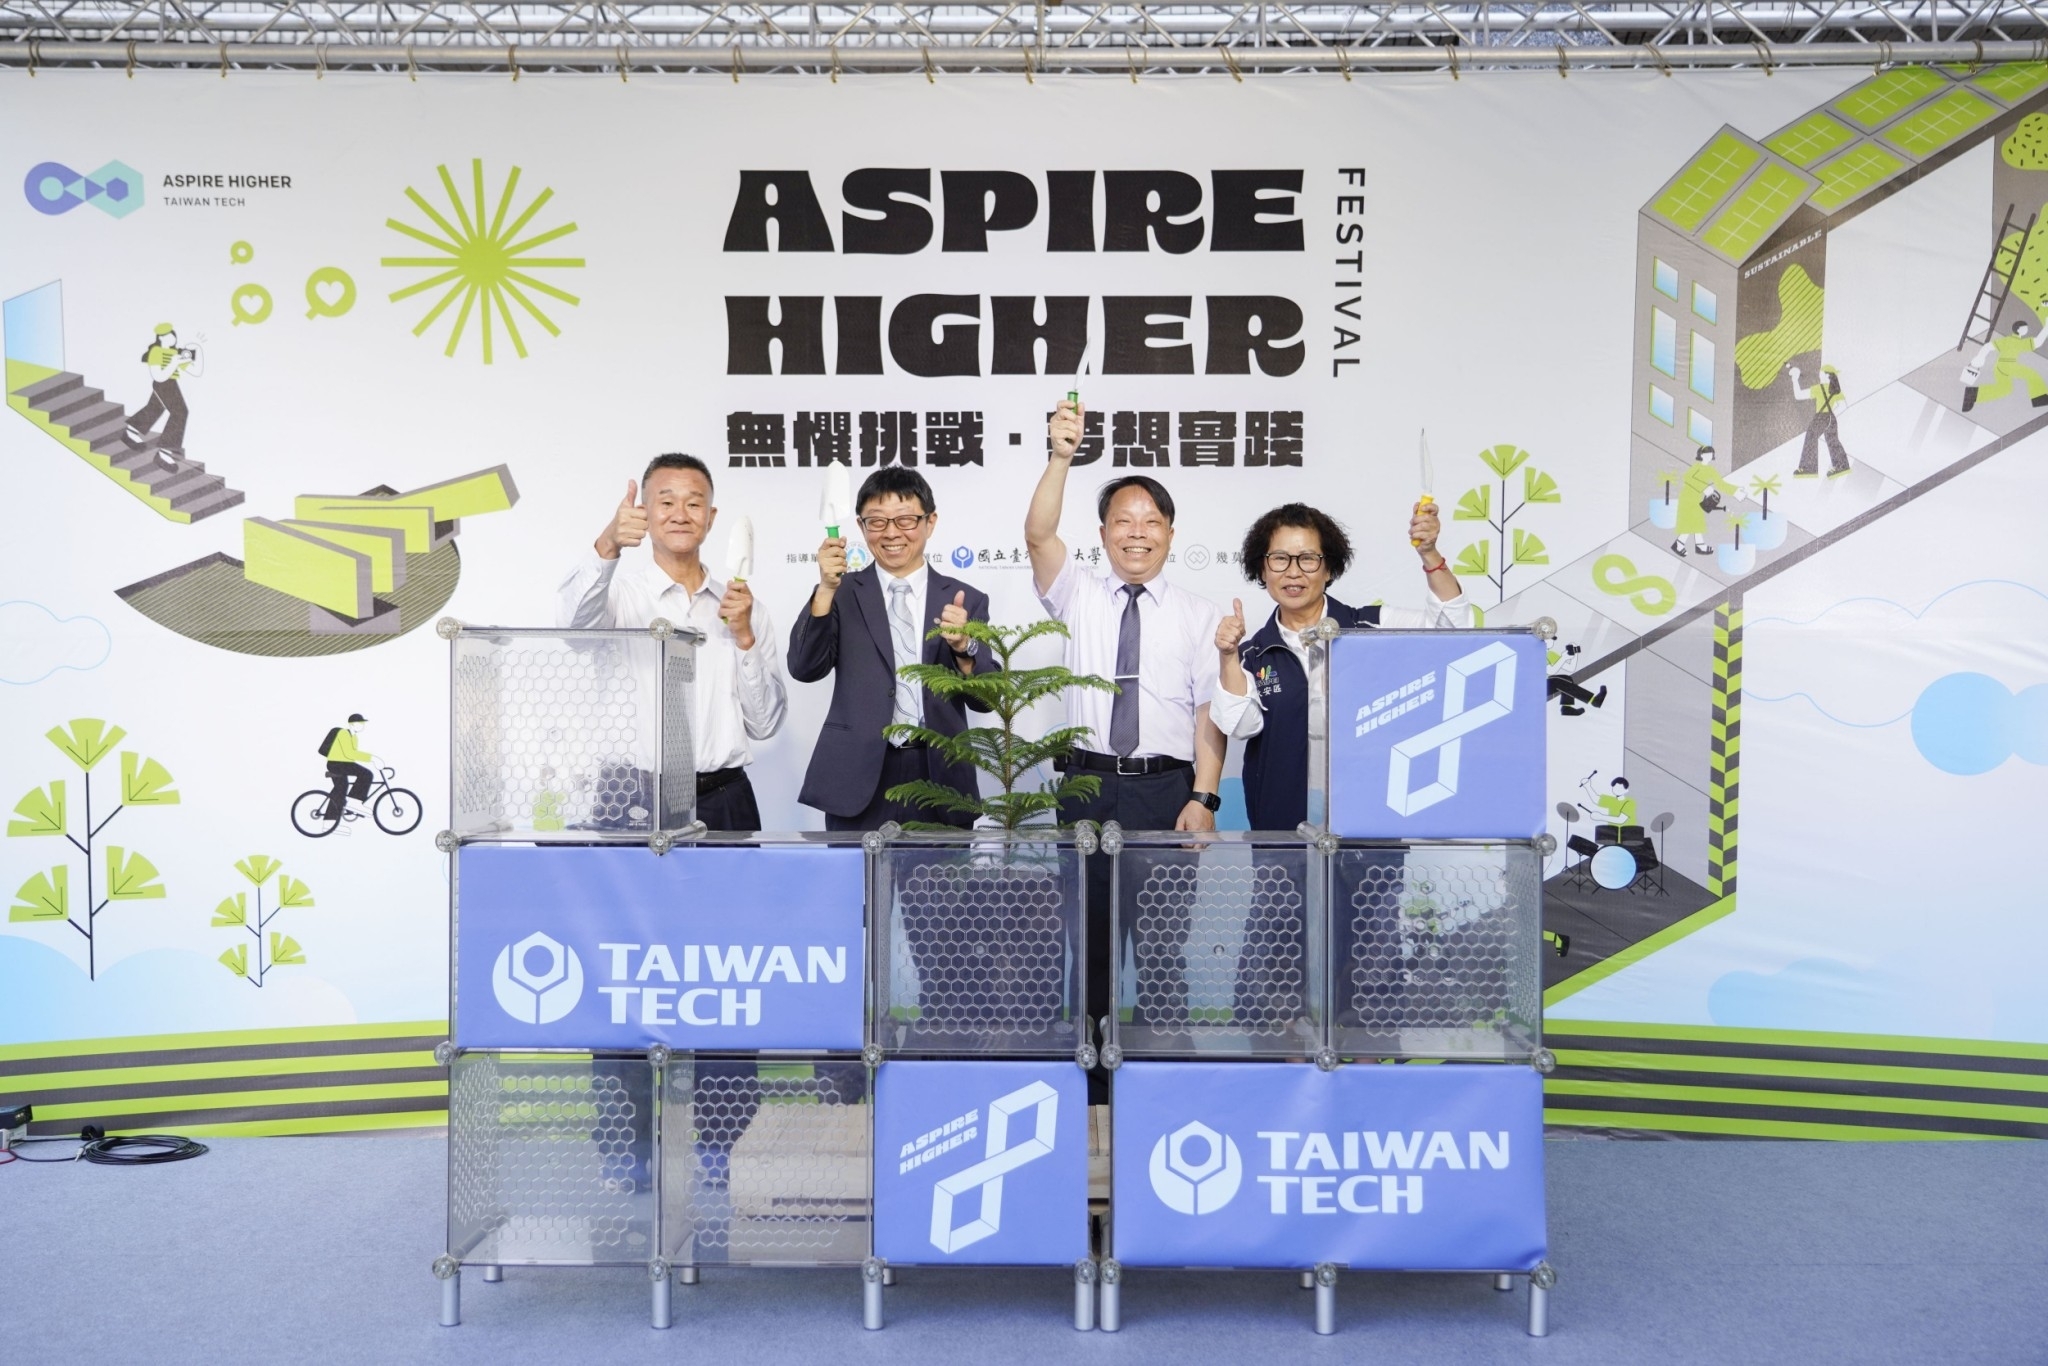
1373 1168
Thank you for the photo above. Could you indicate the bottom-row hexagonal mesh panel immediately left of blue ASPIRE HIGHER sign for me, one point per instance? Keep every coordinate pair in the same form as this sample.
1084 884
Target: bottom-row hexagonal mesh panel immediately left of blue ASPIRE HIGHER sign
765 1164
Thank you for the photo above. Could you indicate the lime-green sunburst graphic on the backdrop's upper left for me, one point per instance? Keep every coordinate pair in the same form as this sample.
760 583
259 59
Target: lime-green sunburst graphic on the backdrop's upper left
482 261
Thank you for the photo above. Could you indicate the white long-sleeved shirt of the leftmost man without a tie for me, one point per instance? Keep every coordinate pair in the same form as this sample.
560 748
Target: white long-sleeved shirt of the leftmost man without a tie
738 693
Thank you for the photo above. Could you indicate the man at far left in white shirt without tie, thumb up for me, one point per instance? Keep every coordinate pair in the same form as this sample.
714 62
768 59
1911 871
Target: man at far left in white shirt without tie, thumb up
738 695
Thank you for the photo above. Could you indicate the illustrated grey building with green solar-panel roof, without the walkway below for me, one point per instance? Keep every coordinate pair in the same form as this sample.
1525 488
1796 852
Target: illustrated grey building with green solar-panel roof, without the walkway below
1732 255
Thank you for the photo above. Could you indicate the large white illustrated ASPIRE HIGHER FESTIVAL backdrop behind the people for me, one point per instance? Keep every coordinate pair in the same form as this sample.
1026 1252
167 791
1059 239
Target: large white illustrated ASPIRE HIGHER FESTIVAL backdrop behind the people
296 368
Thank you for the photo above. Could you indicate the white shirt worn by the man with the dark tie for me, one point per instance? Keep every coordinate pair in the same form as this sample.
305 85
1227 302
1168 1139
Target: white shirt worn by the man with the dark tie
1177 656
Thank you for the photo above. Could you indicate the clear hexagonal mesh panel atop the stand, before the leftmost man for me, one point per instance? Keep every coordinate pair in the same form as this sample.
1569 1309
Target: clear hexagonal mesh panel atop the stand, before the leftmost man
560 734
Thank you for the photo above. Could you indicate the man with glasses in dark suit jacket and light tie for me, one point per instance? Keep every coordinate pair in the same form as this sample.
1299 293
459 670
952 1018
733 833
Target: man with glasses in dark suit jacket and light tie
863 628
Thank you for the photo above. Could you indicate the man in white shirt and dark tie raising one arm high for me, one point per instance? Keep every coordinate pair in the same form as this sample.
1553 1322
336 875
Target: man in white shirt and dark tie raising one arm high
1150 744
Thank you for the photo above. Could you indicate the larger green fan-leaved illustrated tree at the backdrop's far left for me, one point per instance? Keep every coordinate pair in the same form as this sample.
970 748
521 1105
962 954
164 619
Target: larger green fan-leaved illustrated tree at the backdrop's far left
46 898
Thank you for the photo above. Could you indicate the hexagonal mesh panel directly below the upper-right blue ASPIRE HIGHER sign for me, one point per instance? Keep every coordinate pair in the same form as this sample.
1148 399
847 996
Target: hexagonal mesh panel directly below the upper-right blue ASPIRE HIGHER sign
1439 951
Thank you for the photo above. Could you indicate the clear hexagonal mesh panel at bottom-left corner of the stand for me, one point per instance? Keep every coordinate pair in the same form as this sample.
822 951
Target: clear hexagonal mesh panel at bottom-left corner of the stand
550 1160
